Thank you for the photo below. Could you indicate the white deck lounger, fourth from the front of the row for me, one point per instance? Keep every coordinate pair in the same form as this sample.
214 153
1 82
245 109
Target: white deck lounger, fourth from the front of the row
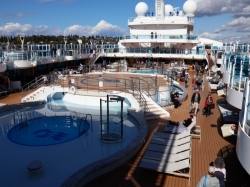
170 142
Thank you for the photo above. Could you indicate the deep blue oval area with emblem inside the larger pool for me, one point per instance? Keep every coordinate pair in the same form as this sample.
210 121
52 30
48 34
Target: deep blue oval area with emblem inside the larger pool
44 131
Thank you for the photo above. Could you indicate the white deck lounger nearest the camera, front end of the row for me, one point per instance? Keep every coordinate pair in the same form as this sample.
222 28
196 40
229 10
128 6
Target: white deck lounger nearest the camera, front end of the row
165 167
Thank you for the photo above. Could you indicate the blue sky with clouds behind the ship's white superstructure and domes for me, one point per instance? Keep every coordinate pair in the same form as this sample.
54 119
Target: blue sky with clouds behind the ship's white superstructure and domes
221 20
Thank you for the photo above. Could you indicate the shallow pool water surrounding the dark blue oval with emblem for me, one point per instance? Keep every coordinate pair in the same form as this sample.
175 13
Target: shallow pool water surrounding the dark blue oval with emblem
59 160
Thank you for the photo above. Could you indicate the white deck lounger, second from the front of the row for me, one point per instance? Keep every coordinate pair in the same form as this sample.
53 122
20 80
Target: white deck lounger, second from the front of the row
166 157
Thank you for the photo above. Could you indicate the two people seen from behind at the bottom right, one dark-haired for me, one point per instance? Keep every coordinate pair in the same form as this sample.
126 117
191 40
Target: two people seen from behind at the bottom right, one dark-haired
216 174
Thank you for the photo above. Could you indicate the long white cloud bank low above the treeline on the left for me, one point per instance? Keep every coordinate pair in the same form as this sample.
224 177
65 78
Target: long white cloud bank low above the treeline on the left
103 28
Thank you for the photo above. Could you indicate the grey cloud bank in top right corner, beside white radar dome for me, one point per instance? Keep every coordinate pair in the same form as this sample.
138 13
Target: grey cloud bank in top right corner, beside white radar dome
214 7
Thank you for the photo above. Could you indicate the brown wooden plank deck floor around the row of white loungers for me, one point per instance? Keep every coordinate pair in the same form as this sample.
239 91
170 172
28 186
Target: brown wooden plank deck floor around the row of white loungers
211 145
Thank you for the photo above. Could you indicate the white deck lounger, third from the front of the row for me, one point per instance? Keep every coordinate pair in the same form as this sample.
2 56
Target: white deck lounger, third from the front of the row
168 149
